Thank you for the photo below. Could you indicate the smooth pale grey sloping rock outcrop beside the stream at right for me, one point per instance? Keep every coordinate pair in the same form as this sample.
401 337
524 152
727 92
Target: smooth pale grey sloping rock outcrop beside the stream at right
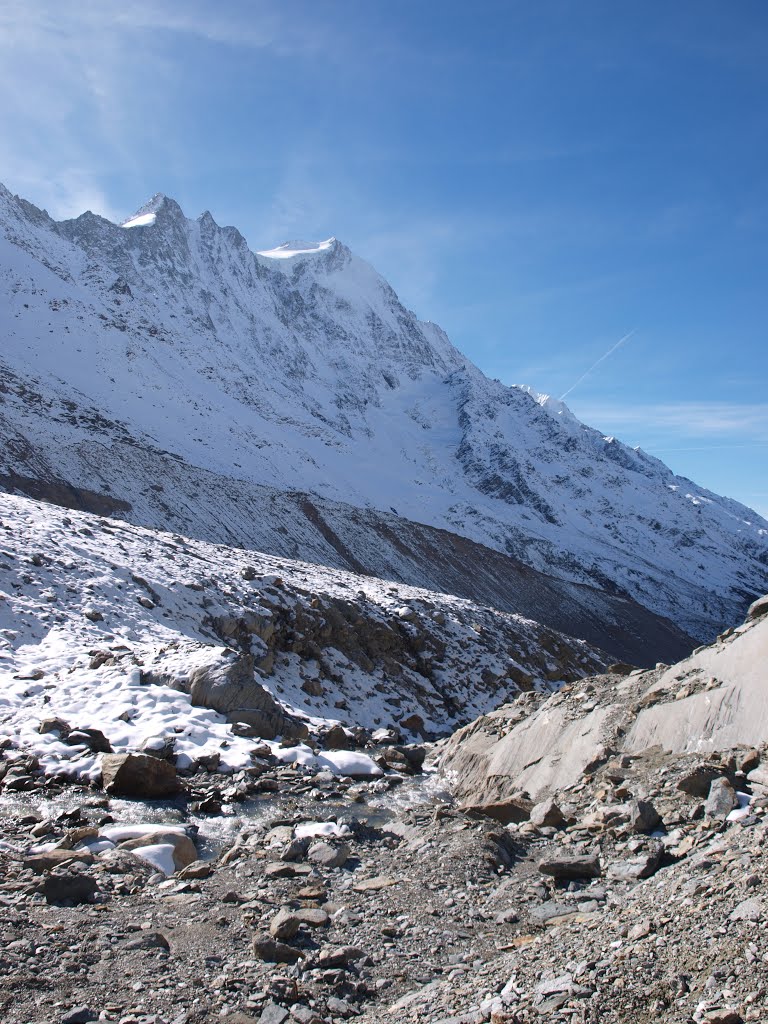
714 701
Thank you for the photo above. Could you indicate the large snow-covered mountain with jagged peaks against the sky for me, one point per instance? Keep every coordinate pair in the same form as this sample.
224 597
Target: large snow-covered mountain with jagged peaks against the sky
288 402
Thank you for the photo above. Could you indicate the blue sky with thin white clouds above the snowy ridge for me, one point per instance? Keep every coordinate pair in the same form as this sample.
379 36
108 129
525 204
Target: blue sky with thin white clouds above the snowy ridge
539 179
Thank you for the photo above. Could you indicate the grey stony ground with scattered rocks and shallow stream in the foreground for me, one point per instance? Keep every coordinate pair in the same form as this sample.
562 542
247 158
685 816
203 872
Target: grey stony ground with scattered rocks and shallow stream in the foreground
637 895
